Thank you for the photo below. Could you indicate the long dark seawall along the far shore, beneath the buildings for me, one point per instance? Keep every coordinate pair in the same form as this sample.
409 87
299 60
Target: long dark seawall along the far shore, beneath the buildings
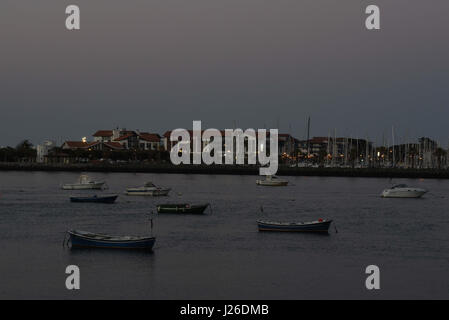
231 170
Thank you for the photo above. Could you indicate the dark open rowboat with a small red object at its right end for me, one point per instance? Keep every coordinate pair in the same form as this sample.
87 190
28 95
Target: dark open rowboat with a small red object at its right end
313 226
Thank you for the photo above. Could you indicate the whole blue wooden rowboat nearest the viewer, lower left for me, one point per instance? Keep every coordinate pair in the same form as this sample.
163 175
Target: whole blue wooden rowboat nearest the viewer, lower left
82 239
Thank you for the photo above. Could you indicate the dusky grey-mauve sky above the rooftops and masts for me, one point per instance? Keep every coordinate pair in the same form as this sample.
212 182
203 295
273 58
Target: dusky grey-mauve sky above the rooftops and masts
158 65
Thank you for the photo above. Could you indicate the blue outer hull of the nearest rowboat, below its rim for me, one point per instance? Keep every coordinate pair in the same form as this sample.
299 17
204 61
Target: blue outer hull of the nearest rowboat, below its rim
81 241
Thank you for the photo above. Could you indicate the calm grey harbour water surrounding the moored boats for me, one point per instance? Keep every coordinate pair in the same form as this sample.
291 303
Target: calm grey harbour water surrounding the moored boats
221 255
